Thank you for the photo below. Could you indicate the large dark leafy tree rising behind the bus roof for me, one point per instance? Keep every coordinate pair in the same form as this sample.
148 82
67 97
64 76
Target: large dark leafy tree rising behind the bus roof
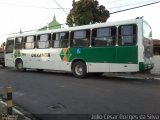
85 12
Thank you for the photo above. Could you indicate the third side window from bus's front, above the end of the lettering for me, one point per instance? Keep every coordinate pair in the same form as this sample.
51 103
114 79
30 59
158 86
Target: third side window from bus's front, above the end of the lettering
44 41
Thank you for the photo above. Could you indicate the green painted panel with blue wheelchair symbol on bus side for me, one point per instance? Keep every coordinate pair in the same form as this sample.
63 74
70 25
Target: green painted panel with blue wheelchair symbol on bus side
118 54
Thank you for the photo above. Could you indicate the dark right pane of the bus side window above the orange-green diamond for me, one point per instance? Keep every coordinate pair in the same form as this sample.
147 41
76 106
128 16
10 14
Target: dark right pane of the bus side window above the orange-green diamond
64 36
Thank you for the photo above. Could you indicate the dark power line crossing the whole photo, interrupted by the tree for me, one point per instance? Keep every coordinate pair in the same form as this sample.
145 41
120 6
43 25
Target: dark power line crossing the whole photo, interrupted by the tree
110 13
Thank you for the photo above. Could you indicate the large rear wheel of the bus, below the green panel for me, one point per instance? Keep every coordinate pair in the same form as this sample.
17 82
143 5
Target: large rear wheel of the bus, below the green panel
79 69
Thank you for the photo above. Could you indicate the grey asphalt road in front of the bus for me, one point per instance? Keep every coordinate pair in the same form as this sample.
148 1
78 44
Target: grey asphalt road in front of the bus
47 93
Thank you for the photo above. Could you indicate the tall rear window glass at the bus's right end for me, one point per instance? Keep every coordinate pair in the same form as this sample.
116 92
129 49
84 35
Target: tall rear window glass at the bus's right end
147 40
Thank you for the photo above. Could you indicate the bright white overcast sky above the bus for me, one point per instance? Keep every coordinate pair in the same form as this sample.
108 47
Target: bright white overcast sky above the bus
34 14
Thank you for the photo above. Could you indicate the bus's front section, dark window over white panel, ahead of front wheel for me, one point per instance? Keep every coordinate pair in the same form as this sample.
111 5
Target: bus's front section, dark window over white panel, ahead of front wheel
9 56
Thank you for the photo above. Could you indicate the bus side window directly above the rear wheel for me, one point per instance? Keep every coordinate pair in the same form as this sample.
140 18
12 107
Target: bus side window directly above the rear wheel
80 38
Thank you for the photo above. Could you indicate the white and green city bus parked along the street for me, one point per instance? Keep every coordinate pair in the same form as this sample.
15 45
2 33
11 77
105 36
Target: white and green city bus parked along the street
123 46
